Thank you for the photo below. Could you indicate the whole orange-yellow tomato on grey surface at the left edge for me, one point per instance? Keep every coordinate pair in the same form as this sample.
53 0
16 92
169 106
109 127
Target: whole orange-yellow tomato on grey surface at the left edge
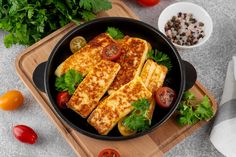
11 100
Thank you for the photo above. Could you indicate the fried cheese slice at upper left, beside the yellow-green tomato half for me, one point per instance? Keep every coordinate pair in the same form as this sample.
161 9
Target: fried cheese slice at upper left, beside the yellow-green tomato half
87 57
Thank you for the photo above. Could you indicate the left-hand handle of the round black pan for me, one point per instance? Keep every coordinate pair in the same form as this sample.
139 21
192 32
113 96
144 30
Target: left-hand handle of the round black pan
38 76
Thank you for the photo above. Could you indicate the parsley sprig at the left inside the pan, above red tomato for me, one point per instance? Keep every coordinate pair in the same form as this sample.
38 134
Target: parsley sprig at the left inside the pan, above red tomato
68 81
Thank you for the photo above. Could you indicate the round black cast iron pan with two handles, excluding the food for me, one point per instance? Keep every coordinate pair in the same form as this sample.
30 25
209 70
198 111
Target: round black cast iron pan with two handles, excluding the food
176 78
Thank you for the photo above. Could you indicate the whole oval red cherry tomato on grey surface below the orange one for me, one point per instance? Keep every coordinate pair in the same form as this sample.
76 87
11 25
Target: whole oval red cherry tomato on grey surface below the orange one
25 134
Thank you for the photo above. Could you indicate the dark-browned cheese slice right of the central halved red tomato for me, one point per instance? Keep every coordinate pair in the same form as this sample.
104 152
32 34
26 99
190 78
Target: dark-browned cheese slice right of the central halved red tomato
131 60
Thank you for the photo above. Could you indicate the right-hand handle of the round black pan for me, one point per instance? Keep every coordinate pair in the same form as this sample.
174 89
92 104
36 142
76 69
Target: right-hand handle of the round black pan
190 75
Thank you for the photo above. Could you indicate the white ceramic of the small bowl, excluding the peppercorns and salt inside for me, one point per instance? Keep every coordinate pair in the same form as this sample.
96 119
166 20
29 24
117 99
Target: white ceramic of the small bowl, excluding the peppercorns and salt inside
186 7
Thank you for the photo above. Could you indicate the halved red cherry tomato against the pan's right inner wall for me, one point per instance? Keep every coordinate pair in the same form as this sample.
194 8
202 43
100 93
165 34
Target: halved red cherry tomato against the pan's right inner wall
164 96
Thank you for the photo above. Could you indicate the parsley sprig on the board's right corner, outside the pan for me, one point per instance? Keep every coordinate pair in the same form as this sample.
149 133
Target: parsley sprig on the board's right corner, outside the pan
189 114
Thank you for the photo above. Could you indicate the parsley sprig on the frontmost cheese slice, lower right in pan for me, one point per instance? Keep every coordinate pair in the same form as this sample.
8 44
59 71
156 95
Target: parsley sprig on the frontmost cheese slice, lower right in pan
138 119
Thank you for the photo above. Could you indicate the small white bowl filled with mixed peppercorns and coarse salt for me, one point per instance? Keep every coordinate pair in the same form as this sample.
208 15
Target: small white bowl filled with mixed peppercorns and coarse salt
185 24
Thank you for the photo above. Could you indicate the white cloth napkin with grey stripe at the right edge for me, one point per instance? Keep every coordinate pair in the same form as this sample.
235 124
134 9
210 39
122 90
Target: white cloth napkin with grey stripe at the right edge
223 134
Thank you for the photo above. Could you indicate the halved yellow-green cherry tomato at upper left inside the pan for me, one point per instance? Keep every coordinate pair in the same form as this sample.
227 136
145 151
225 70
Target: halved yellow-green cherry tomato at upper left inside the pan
77 43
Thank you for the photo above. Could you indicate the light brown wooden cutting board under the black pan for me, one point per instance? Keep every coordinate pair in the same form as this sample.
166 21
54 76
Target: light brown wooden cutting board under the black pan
154 144
